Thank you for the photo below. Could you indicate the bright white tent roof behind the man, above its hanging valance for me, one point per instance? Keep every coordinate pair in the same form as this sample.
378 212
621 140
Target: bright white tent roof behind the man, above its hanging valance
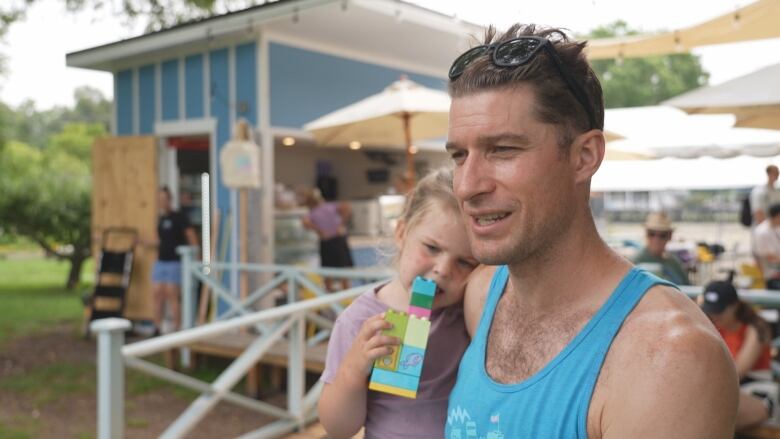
661 131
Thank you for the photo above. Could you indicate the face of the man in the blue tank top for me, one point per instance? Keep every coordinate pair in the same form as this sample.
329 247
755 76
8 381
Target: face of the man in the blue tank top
516 190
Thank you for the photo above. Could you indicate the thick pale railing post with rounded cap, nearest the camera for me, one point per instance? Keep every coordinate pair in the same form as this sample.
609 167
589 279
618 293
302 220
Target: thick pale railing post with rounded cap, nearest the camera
111 377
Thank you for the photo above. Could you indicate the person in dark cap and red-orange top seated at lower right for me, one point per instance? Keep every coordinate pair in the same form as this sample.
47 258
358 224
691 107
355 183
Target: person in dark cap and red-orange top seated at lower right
748 338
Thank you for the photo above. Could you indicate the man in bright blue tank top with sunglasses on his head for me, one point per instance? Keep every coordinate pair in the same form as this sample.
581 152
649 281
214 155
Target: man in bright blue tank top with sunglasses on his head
526 137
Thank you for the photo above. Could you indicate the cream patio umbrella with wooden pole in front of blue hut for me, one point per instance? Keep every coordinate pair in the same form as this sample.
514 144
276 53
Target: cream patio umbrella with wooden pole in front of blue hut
403 113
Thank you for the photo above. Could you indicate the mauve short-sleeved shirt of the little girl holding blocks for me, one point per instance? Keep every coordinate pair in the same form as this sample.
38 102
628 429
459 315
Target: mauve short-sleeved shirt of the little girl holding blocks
389 416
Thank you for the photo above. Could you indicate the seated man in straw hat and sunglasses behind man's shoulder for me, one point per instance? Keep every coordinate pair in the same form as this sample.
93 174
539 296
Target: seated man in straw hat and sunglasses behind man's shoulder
658 232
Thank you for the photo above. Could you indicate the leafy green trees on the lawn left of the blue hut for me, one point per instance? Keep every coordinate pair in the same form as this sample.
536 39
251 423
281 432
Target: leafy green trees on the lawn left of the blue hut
45 176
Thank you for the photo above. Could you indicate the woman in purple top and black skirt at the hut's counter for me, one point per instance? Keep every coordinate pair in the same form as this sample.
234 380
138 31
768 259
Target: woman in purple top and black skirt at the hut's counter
329 221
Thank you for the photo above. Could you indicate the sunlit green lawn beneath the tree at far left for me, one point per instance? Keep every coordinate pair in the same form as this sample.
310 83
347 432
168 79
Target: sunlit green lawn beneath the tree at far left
33 296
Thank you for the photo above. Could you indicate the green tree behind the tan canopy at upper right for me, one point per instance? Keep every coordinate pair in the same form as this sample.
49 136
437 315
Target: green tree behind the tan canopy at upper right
644 81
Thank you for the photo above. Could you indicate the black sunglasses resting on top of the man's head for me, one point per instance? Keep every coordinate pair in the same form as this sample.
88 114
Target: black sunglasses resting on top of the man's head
519 51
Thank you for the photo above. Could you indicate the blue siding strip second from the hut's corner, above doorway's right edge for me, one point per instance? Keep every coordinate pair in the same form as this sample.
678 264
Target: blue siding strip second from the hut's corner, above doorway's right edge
220 100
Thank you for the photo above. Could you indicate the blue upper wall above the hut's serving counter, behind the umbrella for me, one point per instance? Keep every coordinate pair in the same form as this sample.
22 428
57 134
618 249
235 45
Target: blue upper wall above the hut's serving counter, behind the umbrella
306 85
